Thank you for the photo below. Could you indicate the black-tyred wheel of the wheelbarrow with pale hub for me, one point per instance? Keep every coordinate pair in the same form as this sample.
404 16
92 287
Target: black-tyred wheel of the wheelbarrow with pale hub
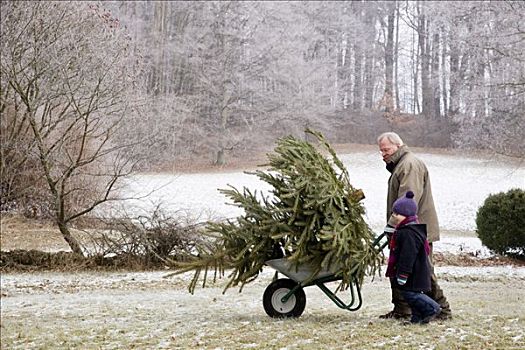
272 299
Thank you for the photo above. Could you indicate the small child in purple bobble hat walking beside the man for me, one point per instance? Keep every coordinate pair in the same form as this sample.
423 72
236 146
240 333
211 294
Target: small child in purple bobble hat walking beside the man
408 266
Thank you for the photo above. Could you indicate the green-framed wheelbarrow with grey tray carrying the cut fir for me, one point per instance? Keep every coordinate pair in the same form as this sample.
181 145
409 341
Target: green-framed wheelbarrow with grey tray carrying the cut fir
285 297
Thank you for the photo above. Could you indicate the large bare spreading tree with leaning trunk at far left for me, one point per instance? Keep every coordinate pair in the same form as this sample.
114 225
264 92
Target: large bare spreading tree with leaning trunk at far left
66 76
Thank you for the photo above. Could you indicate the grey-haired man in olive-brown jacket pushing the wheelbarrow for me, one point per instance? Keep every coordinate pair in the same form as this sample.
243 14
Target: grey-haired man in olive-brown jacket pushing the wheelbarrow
410 173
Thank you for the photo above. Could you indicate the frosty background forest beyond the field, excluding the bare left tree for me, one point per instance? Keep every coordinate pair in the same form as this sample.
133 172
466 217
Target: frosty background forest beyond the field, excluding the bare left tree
225 78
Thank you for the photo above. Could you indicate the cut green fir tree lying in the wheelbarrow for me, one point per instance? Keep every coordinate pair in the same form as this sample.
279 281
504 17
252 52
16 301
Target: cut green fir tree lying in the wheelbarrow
313 216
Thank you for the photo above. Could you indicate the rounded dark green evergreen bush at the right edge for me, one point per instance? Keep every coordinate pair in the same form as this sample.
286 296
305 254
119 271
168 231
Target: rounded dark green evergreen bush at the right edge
501 223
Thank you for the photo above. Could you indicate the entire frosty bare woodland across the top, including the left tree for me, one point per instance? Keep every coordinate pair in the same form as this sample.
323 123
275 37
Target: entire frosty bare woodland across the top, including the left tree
92 92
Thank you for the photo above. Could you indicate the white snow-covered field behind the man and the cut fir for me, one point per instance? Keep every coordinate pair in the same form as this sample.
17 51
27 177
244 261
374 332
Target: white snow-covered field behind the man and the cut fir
460 184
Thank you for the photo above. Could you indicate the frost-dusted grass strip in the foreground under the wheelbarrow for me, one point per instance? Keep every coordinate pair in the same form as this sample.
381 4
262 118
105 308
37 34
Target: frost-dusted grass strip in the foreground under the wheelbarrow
147 311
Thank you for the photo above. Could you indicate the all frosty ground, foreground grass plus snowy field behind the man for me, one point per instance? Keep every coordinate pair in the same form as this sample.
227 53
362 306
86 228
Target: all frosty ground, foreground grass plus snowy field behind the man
121 310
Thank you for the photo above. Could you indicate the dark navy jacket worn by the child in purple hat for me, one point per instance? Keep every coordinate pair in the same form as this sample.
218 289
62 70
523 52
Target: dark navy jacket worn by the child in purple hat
411 258
